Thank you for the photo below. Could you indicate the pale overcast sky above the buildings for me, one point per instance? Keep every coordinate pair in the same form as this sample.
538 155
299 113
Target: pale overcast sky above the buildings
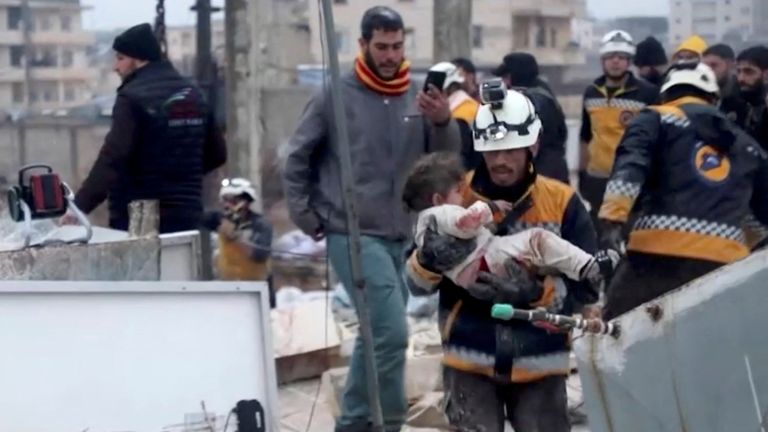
111 14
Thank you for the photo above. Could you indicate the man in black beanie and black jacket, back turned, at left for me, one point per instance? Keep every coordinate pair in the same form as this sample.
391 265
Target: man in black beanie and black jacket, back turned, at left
161 144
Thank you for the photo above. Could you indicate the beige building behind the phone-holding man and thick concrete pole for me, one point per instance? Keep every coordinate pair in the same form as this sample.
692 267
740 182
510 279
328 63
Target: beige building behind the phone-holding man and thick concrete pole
541 27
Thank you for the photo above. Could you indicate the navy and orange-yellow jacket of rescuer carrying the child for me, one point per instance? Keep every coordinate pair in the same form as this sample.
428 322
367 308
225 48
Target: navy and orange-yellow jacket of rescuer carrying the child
470 335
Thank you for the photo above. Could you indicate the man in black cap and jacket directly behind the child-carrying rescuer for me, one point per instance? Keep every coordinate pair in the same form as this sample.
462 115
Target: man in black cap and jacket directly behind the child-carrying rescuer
520 71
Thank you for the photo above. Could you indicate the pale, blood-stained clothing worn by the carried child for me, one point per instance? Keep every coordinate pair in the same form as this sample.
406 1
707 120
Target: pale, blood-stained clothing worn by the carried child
534 247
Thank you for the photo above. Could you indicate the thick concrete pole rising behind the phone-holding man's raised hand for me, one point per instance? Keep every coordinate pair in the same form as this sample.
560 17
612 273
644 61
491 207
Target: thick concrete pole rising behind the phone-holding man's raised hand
452 25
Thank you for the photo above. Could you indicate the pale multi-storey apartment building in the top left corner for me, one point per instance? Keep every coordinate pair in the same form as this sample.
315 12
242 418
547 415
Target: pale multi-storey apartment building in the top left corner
43 65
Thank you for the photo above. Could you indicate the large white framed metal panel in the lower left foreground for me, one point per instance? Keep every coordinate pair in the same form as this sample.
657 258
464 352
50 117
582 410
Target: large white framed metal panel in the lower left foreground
131 356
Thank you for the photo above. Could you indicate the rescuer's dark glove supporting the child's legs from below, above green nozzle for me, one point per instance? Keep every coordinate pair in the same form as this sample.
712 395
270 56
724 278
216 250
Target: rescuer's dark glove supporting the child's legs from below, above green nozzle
518 287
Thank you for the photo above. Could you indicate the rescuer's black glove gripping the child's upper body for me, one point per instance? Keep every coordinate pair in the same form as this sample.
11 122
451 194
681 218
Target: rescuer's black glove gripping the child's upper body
442 252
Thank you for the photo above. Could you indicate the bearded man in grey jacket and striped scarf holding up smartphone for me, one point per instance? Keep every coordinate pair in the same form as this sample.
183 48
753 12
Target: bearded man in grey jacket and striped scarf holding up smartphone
391 123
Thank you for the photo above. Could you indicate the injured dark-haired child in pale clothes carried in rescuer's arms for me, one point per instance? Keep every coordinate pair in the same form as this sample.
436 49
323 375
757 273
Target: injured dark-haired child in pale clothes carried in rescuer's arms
434 189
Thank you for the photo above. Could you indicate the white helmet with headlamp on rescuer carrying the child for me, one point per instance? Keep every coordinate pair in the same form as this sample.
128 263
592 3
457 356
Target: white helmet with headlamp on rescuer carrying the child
514 124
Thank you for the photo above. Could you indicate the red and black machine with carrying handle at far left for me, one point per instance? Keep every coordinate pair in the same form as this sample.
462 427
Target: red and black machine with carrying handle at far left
41 194
